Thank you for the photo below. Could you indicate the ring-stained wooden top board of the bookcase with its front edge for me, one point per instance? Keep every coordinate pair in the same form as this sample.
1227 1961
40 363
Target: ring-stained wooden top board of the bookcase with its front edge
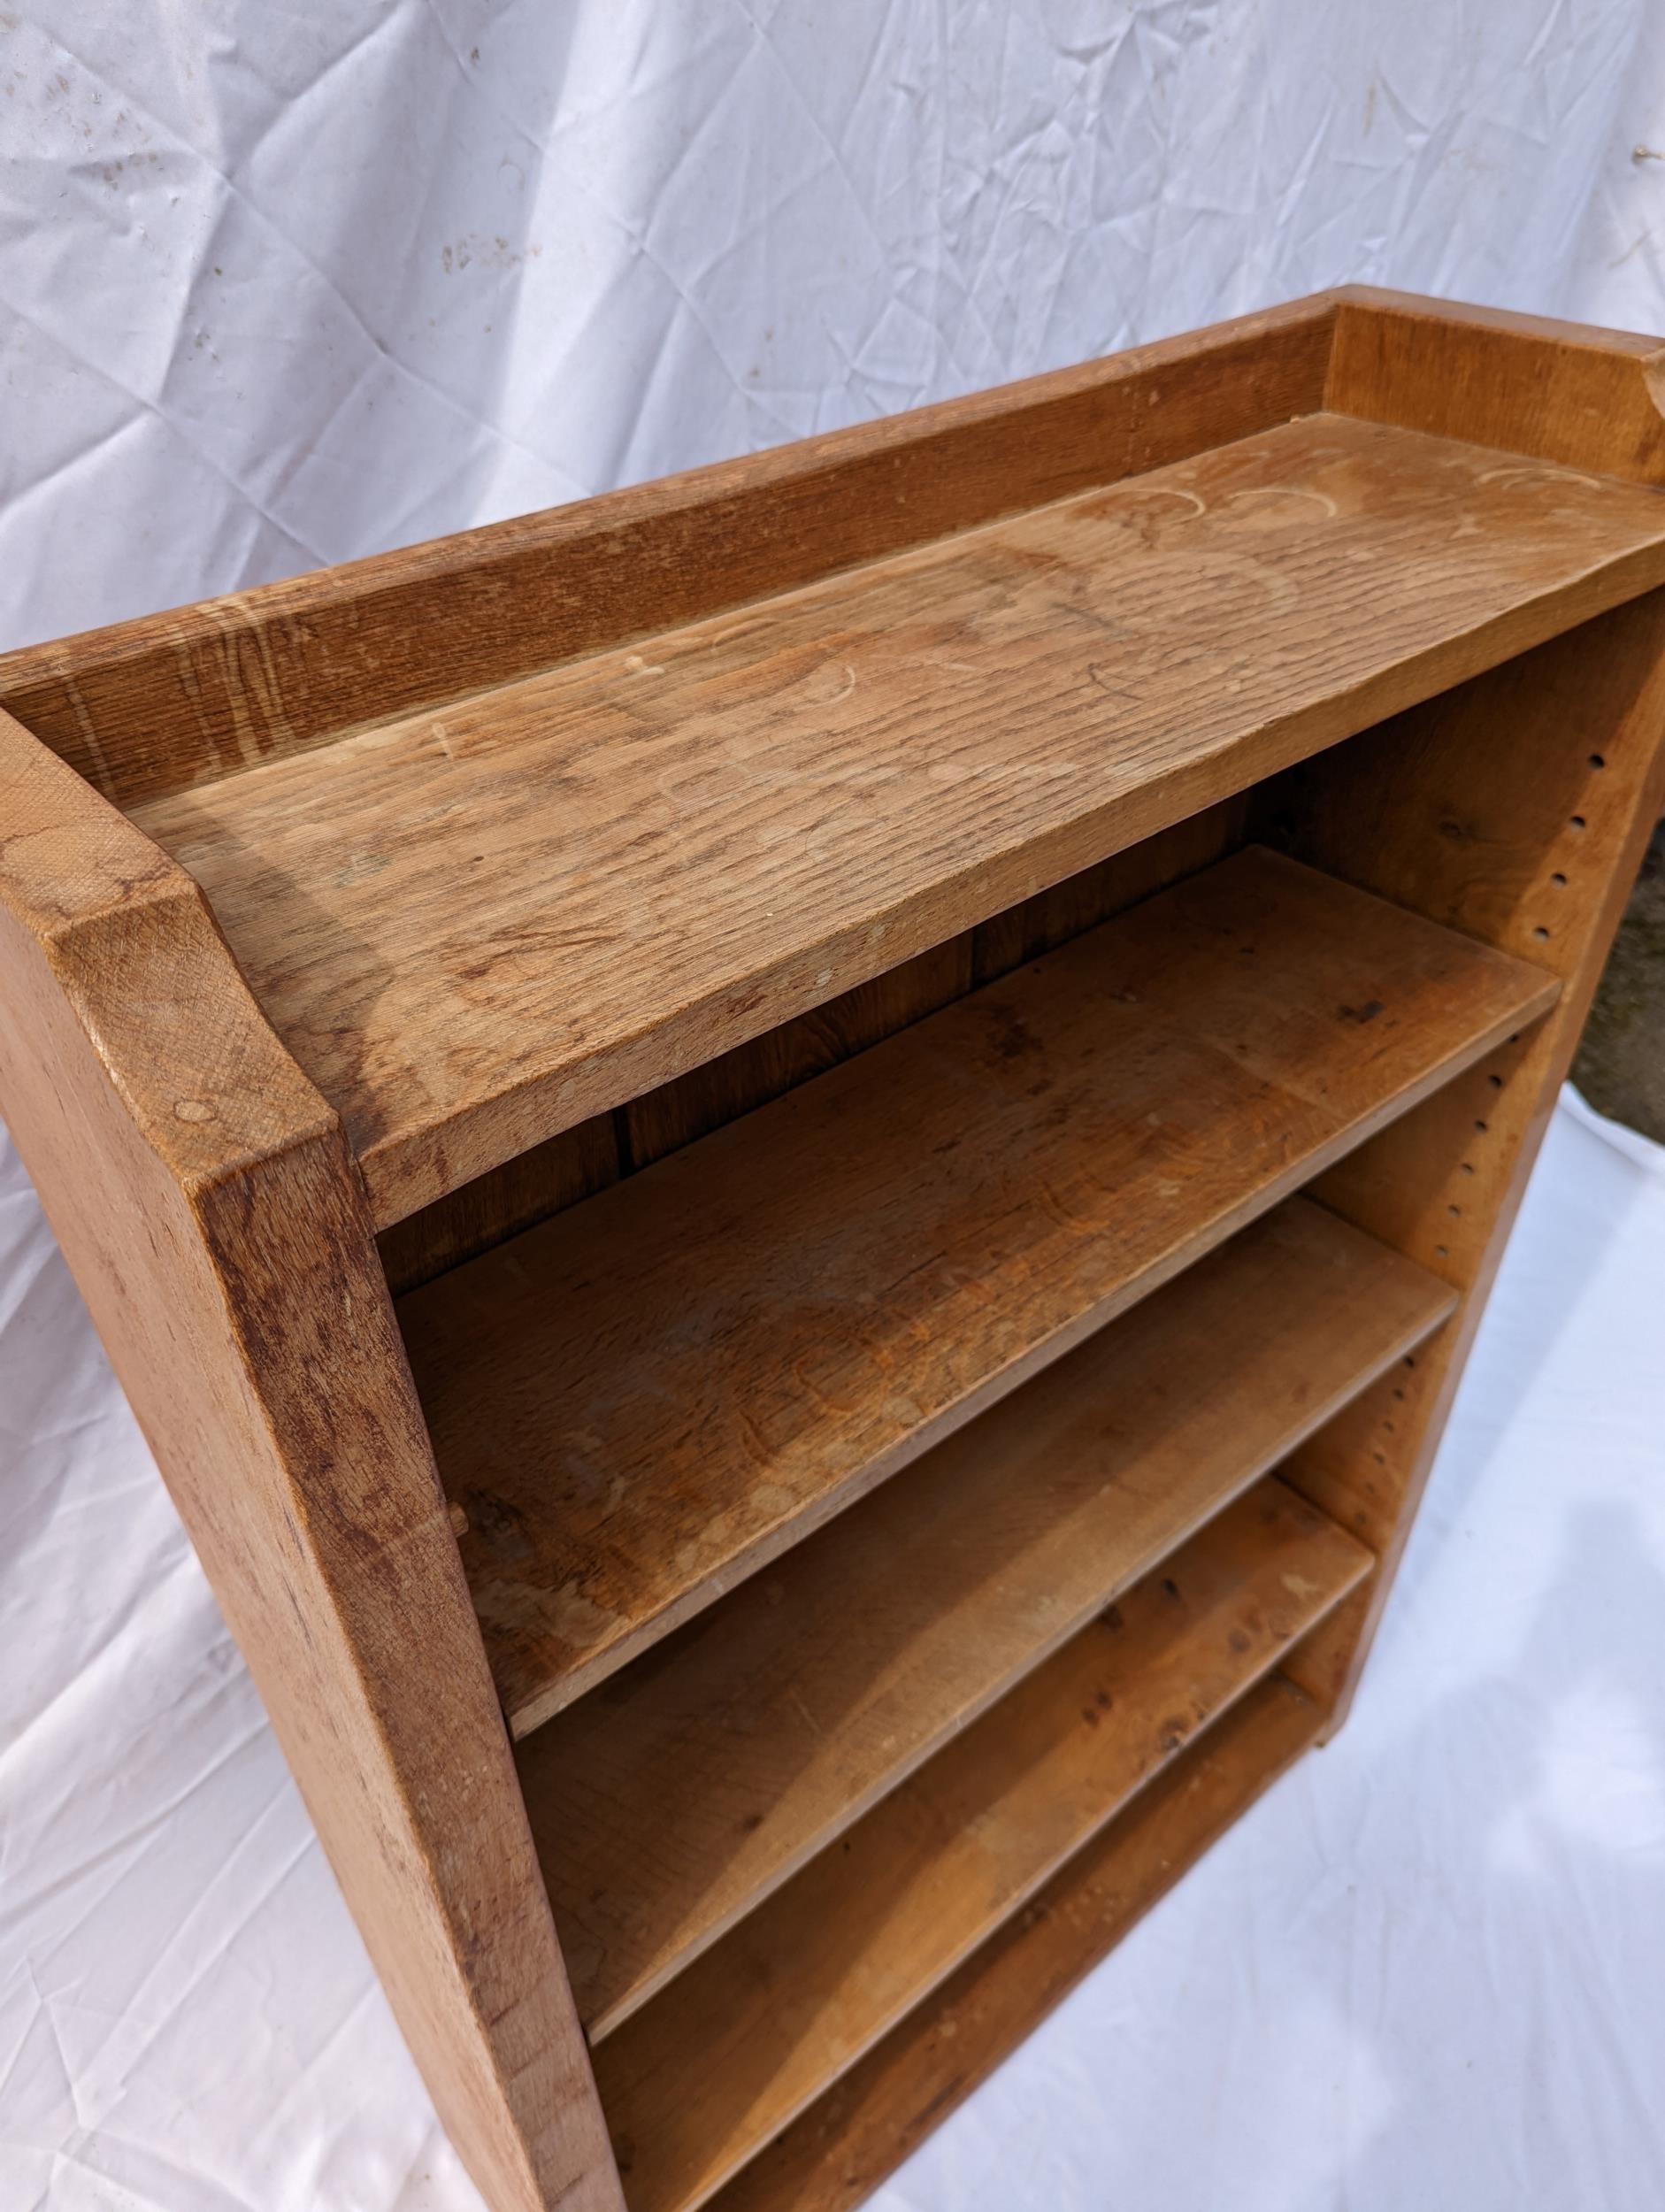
479 926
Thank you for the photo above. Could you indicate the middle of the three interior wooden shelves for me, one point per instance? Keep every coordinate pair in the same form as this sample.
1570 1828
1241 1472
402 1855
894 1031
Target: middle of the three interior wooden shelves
786 1711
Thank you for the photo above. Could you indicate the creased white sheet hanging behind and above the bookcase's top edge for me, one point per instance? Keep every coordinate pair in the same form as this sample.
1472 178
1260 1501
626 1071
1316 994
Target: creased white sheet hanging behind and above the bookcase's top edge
284 286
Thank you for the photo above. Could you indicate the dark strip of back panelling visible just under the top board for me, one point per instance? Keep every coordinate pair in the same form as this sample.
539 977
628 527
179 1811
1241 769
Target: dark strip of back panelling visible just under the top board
598 1154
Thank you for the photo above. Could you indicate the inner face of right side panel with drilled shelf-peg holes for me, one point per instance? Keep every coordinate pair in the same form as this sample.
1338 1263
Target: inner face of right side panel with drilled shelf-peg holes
1514 808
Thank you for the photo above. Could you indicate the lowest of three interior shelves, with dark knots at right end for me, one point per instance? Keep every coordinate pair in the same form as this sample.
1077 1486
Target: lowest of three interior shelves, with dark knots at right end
793 1996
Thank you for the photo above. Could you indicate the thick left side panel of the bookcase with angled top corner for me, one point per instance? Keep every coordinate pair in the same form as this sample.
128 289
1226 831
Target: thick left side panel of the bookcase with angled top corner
218 1229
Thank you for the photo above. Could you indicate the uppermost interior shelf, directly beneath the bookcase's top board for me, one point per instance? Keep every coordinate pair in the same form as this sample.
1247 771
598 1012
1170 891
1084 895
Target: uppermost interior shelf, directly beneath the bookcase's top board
771 1322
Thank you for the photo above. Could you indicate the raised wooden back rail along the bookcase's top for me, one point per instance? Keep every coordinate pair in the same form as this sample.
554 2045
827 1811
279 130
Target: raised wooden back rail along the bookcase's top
209 691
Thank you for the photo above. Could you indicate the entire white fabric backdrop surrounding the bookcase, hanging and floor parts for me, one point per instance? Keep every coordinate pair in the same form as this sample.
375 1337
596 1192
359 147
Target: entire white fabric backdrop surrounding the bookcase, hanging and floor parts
284 286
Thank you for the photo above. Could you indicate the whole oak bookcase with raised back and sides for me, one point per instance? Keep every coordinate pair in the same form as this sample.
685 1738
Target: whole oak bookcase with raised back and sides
793 1171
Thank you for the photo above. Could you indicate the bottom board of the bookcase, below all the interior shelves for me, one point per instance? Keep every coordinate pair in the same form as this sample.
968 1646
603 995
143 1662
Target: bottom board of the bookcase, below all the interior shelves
881 2111
